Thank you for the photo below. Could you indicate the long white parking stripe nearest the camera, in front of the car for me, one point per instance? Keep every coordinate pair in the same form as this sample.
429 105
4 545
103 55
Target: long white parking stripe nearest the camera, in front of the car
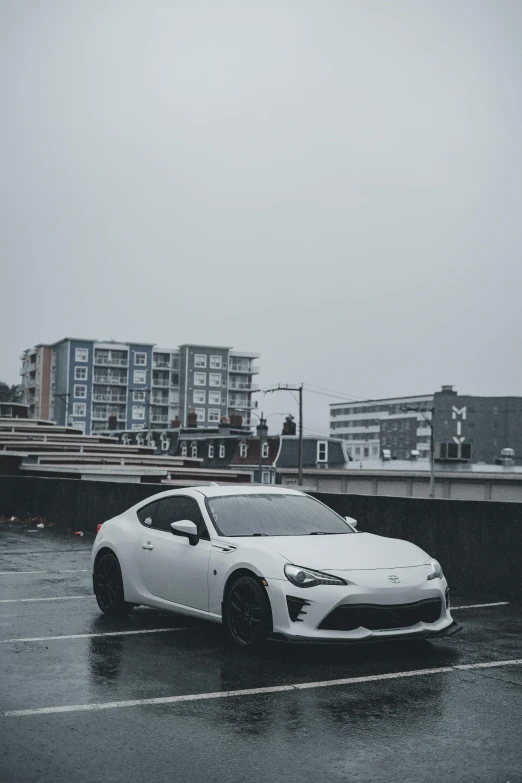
109 705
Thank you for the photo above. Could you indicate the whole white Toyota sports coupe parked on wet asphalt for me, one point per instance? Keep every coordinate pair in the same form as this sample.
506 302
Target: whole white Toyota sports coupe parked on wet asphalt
267 562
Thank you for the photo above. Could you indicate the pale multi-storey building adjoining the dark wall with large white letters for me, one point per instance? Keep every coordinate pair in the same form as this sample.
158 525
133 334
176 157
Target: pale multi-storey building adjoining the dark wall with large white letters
370 427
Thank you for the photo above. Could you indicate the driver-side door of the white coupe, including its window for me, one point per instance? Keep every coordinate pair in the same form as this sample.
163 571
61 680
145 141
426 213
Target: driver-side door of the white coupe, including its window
181 570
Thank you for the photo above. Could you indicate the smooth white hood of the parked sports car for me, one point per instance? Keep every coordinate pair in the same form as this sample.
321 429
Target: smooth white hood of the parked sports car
347 552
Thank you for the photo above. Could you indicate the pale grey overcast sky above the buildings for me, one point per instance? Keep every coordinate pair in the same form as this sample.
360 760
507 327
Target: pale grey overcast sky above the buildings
335 184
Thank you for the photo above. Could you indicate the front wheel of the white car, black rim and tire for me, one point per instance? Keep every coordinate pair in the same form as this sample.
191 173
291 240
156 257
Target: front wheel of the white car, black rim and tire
247 613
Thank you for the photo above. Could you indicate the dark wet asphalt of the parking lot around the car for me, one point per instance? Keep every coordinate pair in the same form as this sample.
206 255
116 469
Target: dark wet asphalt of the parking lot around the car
461 725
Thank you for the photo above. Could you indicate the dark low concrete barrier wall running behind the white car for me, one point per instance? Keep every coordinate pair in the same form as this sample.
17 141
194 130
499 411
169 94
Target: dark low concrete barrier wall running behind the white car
479 543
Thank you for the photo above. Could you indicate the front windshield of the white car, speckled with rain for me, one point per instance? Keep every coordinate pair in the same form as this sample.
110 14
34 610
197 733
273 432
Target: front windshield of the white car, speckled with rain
274 515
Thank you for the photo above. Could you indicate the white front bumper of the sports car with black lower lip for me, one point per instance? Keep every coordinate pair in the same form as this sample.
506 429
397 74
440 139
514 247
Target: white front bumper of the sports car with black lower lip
300 614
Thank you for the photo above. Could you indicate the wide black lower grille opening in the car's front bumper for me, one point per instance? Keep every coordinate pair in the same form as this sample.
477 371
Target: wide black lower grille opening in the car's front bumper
381 618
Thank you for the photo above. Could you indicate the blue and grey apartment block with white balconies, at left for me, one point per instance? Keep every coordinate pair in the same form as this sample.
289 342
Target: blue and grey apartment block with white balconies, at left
96 385
